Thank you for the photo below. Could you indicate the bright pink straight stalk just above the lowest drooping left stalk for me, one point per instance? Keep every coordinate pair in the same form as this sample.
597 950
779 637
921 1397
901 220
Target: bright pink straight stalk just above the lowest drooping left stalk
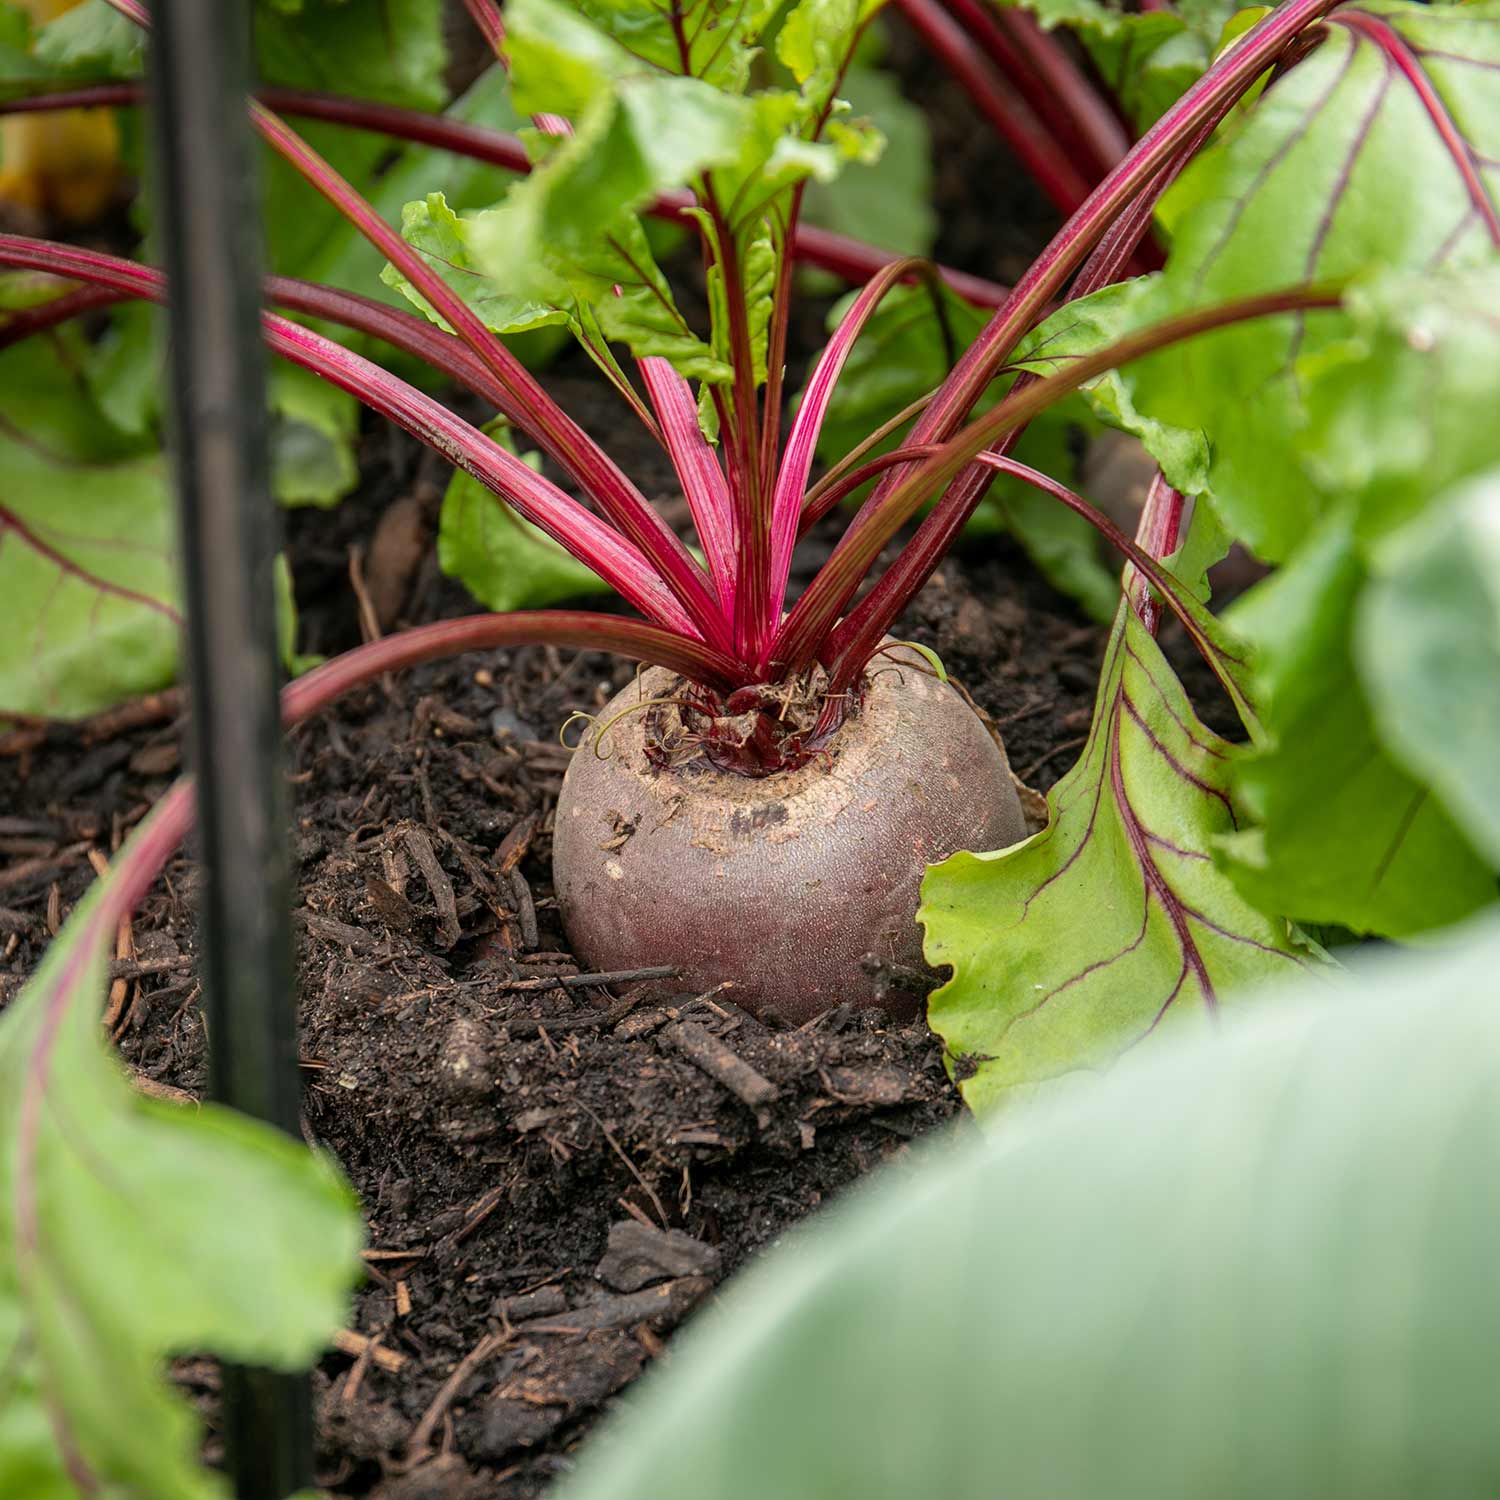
533 497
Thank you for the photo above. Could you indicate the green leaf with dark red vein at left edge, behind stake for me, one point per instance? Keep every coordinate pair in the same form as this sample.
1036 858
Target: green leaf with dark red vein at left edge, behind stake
88 545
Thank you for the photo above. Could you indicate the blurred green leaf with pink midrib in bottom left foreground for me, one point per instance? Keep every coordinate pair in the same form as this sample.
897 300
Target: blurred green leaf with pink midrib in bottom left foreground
133 1231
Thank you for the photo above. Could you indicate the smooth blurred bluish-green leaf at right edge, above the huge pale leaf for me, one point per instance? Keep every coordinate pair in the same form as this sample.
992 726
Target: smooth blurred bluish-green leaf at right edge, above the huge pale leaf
1427 641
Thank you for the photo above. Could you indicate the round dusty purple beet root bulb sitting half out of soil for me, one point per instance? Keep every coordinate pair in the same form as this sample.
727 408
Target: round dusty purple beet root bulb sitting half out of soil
778 884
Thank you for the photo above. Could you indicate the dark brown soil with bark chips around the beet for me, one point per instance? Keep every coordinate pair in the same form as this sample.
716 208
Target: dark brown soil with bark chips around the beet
554 1172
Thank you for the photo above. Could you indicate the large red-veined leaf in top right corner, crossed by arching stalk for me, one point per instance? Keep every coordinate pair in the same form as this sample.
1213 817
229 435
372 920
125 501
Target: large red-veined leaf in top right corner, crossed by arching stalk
1336 170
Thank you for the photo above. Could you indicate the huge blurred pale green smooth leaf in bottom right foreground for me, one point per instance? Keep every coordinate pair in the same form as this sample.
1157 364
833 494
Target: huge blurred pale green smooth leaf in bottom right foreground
1261 1264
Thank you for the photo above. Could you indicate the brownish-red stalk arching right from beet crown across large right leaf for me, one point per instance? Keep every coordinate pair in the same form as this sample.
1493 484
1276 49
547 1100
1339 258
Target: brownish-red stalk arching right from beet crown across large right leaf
884 515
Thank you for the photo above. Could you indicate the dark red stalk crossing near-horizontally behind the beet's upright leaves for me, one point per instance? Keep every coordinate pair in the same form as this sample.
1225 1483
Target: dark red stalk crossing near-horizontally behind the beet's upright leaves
832 253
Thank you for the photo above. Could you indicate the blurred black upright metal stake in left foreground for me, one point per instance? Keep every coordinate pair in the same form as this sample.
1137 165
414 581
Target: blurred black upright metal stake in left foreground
209 221
